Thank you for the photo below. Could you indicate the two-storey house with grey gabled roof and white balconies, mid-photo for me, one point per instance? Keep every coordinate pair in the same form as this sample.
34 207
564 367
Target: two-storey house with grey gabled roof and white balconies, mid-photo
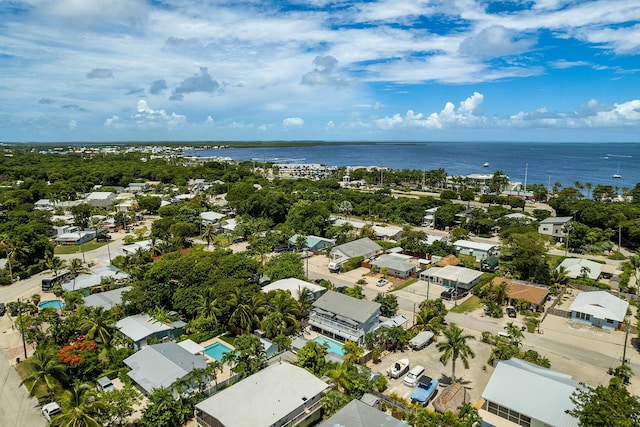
343 317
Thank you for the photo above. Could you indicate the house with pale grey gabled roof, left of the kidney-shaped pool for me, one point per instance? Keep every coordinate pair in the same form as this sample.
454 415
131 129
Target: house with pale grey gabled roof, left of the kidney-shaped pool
160 365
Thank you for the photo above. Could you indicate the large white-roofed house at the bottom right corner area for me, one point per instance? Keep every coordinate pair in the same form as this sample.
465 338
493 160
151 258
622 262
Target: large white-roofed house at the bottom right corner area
528 395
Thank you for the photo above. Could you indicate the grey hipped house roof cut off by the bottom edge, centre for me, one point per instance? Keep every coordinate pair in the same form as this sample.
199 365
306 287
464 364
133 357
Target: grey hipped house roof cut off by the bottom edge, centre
358 414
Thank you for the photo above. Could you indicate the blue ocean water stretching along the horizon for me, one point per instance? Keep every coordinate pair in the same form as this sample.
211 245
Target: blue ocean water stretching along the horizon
542 163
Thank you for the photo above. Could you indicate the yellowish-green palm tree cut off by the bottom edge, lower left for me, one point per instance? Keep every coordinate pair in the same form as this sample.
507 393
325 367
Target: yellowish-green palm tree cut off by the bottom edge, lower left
79 404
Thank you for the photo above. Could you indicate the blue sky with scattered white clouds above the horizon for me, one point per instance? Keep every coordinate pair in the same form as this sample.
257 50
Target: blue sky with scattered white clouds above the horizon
388 70
